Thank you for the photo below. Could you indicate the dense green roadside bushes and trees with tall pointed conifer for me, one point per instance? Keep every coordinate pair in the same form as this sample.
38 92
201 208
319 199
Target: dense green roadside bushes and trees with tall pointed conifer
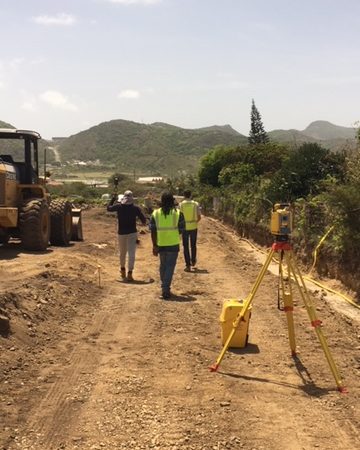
241 184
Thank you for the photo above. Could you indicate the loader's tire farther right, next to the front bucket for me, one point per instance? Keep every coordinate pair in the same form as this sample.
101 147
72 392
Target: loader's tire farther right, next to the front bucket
61 222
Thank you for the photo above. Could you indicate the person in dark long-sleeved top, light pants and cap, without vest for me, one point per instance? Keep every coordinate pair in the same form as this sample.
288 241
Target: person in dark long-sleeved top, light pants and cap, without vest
127 213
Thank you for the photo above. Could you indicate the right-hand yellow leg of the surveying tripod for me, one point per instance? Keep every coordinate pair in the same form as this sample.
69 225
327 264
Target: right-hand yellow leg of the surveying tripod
315 322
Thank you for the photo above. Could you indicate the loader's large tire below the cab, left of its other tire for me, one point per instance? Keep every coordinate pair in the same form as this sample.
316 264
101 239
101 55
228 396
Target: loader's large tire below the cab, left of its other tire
34 225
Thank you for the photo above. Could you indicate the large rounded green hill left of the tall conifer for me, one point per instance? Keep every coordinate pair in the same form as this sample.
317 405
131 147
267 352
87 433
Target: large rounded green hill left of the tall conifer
156 148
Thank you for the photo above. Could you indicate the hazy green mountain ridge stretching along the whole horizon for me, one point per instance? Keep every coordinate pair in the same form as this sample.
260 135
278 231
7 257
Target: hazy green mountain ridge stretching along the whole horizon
162 148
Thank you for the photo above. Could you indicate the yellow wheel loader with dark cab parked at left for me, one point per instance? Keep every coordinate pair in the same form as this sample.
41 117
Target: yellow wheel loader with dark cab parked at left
26 209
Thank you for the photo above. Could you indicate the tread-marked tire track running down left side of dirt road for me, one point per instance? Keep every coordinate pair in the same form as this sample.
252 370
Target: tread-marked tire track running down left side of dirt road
66 395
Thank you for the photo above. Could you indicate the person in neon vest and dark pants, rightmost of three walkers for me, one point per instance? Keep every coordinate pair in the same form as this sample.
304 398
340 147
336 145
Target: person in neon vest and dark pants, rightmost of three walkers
192 215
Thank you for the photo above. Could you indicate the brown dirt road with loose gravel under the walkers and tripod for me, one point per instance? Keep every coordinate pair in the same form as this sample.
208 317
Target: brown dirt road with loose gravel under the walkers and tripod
115 367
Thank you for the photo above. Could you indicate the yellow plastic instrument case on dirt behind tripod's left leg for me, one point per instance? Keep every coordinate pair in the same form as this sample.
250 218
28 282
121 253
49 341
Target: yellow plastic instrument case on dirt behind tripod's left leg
231 308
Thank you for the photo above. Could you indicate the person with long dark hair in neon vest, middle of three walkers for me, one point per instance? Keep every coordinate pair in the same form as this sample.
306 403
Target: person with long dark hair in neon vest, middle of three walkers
166 225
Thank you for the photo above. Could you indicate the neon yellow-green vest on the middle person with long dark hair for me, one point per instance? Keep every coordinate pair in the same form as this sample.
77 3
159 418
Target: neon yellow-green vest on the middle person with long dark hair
167 227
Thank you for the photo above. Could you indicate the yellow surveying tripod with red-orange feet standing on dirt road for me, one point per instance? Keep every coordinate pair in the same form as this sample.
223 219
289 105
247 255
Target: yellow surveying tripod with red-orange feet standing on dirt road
283 247
